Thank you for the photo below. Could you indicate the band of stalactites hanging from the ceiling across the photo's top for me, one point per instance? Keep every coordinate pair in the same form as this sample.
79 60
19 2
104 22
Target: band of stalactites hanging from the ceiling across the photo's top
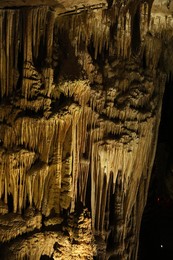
28 34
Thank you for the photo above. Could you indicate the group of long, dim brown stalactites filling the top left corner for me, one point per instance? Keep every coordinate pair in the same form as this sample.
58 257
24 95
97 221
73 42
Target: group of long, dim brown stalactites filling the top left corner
14 36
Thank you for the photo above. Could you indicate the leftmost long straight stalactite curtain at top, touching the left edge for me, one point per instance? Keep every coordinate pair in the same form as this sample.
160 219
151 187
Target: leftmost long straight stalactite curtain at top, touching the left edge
8 72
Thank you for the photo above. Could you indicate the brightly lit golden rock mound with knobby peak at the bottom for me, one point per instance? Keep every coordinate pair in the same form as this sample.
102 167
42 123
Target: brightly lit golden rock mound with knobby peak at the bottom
75 241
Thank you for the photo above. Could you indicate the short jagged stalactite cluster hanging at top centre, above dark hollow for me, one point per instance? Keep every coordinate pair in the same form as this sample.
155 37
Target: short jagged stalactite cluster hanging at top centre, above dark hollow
86 28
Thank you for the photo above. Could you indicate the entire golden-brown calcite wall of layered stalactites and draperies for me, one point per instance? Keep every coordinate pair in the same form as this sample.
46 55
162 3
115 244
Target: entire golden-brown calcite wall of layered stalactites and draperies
81 86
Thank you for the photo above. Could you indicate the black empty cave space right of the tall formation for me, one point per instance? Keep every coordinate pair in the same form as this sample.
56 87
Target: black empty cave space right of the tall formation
156 234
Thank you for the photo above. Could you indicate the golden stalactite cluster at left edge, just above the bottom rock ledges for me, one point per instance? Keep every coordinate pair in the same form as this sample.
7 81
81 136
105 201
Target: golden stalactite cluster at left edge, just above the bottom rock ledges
13 170
